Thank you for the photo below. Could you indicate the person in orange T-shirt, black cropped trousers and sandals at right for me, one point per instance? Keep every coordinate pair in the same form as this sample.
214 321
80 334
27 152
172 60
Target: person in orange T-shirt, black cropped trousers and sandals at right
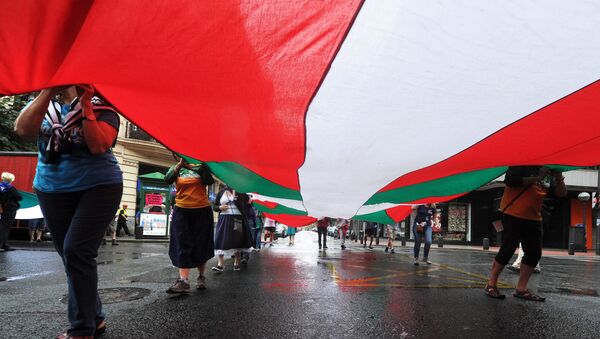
526 188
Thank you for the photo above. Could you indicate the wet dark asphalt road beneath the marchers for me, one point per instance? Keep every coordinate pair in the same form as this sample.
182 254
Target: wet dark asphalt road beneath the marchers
300 292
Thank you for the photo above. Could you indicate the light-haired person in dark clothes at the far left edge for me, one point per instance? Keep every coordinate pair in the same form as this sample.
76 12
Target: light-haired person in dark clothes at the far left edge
9 204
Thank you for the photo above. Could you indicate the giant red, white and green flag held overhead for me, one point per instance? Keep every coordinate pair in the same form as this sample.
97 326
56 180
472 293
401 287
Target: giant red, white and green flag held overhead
342 108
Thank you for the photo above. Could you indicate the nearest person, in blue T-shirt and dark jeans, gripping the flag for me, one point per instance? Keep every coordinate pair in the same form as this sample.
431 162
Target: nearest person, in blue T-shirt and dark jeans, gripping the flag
79 184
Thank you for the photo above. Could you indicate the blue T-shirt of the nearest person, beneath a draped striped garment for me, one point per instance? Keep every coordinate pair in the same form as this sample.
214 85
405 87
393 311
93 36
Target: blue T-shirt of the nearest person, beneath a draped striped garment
75 168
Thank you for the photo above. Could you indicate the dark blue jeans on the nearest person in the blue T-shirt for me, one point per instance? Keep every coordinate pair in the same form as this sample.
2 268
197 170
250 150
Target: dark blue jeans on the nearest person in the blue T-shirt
78 221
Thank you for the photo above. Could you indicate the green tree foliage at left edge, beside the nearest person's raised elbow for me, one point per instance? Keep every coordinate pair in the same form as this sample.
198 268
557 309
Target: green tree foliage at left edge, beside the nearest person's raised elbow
10 106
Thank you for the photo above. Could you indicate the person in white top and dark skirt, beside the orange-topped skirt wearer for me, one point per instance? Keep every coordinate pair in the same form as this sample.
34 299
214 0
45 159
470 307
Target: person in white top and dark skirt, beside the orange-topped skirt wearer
233 235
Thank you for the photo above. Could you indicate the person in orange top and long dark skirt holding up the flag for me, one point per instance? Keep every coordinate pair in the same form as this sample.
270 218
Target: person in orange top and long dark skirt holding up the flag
191 243
